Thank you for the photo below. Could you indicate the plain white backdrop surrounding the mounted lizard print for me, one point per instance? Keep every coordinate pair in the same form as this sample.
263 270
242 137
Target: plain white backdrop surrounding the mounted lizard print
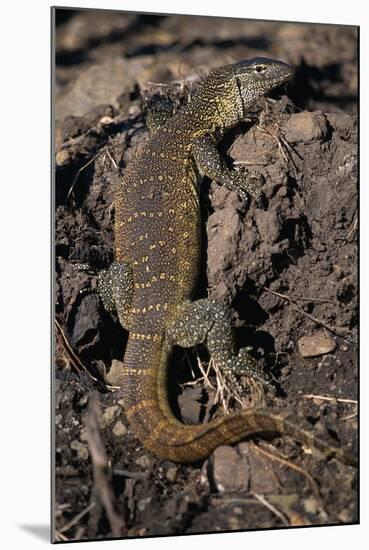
25 272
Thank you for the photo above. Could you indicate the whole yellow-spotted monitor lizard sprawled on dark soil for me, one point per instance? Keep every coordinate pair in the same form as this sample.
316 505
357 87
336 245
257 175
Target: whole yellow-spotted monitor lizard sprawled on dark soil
153 278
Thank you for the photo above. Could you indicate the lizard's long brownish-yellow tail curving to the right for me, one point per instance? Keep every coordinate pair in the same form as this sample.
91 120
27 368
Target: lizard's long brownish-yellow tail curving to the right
145 396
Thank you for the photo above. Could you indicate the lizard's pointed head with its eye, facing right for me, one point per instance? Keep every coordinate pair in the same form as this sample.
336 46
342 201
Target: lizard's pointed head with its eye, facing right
258 76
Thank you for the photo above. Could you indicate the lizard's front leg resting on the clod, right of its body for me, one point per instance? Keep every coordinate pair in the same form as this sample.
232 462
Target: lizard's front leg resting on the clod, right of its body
210 164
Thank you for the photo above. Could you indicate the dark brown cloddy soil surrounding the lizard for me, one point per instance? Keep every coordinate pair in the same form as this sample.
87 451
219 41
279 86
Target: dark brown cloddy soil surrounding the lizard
288 268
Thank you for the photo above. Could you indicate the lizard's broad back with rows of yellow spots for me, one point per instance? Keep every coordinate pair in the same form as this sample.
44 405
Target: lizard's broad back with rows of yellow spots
157 226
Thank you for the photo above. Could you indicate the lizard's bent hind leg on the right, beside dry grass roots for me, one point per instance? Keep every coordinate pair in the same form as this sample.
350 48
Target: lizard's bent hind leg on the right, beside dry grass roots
209 321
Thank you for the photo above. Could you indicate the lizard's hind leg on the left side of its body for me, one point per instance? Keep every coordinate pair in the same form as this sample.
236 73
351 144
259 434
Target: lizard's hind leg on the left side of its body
115 286
